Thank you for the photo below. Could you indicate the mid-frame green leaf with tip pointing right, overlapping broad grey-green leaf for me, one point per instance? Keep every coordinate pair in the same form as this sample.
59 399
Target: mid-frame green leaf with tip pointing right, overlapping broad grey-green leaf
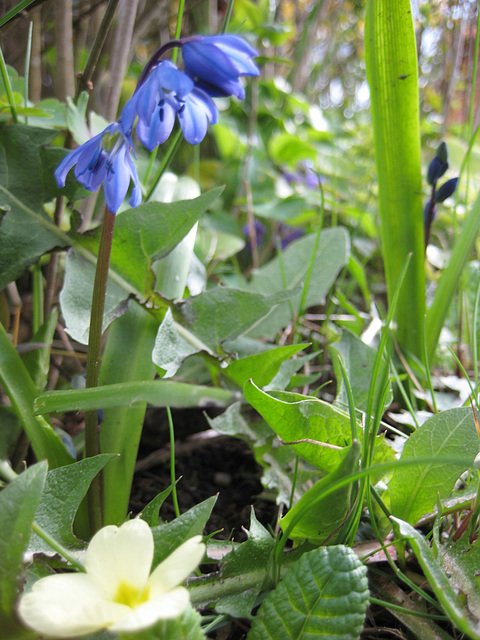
240 310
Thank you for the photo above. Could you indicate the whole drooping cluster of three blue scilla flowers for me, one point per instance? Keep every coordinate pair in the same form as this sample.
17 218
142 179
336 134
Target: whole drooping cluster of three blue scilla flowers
213 66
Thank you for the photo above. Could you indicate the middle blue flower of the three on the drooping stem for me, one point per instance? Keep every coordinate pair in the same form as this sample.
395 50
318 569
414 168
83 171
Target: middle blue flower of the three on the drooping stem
164 94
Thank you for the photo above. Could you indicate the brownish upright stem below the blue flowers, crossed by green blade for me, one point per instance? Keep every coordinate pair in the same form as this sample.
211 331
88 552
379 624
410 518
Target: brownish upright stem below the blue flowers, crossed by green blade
92 446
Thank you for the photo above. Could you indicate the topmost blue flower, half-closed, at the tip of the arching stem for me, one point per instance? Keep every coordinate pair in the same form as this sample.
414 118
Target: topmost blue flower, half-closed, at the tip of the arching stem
217 62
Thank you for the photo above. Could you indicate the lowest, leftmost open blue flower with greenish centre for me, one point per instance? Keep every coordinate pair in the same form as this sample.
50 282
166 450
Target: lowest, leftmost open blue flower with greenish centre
104 159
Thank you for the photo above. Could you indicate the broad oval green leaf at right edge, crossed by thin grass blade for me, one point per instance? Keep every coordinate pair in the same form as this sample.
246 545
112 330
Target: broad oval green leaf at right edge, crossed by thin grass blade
415 490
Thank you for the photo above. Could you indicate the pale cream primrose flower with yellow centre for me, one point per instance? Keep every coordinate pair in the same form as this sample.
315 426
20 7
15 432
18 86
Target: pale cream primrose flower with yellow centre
117 592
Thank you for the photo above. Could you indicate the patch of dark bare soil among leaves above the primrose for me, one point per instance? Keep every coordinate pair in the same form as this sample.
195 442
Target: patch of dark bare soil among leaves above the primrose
209 464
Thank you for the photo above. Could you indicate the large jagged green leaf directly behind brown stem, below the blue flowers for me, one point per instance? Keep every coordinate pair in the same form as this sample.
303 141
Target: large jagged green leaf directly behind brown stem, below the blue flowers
142 236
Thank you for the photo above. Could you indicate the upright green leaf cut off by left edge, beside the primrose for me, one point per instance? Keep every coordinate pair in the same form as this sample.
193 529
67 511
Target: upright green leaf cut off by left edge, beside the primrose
18 504
